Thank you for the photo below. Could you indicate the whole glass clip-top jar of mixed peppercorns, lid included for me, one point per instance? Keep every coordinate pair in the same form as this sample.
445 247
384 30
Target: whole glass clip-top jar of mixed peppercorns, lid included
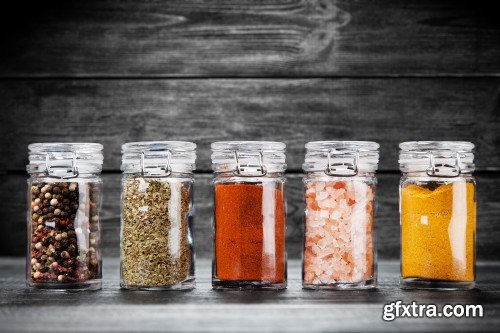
64 201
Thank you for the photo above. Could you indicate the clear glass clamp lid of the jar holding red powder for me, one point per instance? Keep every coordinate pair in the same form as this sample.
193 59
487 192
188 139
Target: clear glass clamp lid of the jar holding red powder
248 158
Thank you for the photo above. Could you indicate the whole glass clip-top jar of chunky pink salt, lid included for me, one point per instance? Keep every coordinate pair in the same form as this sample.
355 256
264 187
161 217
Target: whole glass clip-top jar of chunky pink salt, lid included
339 250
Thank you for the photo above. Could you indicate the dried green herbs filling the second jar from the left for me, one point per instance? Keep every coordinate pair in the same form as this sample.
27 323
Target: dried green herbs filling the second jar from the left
155 246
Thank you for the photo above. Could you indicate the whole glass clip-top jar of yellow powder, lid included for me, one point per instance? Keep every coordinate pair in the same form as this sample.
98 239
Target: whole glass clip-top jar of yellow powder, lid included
438 215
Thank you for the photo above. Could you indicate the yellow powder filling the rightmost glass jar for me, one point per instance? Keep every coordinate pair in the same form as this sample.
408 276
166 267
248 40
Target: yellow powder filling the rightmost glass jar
438 226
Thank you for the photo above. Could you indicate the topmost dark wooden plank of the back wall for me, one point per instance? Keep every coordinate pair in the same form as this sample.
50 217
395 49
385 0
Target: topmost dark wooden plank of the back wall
249 38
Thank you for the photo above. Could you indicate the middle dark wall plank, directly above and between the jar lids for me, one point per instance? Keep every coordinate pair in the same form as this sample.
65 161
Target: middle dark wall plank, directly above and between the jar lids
295 111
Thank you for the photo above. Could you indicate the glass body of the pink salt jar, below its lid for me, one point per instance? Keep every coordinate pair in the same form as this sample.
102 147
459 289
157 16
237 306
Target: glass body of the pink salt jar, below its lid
339 244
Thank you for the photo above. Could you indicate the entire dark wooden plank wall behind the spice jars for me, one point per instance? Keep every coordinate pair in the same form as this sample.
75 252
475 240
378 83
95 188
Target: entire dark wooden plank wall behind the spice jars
114 71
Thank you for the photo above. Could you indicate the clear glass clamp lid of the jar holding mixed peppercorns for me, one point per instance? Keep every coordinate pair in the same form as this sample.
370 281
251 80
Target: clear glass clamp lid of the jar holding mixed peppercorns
65 160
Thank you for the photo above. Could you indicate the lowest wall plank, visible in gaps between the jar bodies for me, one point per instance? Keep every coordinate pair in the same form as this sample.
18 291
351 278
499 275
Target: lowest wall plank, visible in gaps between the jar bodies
13 207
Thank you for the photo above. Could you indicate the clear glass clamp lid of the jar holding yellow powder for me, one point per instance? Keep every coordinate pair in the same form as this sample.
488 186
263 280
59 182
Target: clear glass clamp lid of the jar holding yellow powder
437 158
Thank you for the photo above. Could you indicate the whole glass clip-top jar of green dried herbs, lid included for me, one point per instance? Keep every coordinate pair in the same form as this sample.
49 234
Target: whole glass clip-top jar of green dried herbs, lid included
156 219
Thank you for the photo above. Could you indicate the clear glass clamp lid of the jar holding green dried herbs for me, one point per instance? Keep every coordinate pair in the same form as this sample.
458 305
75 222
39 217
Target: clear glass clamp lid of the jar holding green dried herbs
158 158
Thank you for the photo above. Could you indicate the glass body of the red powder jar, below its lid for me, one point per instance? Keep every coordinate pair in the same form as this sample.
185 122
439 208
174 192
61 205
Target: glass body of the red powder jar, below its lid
249 232
